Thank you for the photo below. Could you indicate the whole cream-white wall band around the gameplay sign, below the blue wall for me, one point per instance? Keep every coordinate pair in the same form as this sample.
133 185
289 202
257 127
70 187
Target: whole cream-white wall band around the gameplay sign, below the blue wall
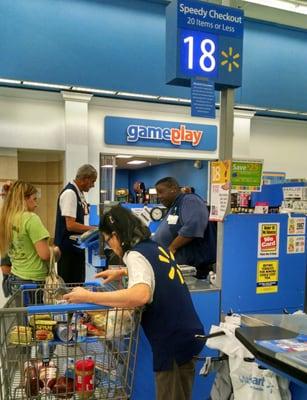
36 120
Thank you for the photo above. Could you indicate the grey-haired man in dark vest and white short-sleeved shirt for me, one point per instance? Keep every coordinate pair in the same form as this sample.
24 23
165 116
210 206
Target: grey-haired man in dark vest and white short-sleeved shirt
71 209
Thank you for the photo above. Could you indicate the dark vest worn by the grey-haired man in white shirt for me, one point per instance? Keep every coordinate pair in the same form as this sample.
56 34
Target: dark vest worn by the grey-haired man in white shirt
61 237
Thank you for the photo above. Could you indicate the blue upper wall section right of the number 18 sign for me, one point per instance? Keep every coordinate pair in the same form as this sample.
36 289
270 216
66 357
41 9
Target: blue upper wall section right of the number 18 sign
274 66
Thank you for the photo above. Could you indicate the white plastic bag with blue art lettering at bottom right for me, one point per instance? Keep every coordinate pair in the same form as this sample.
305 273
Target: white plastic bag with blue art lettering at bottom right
253 383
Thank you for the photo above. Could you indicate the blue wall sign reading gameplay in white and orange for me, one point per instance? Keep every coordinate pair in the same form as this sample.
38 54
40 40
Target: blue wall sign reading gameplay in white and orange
162 134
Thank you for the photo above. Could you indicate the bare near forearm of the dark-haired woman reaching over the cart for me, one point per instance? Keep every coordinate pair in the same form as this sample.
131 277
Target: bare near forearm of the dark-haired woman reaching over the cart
136 296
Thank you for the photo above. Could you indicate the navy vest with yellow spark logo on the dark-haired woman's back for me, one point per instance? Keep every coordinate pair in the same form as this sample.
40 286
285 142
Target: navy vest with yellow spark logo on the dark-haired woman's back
170 321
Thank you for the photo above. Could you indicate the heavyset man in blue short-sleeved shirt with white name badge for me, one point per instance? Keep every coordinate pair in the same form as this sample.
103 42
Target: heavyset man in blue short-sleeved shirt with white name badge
186 230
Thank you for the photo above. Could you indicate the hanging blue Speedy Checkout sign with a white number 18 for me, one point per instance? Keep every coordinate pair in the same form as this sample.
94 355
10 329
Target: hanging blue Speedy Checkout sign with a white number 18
204 40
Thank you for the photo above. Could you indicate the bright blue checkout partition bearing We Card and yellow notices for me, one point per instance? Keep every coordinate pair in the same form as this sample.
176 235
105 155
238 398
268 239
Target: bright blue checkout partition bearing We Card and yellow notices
240 268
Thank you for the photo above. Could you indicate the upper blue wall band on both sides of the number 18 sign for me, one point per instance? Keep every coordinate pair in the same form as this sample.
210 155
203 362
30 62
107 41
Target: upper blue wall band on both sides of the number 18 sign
121 45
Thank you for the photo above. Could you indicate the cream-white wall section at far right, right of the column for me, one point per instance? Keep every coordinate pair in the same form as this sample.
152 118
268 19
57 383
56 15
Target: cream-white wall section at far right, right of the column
281 143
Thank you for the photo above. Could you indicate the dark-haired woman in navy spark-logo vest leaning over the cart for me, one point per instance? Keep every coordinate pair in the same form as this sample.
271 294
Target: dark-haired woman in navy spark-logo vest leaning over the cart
169 320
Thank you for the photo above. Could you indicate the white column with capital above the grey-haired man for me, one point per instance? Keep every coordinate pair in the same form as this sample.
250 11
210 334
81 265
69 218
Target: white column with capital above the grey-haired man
76 132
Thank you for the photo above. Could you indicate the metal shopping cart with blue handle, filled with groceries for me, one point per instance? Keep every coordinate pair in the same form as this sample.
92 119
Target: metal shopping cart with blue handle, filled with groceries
68 351
